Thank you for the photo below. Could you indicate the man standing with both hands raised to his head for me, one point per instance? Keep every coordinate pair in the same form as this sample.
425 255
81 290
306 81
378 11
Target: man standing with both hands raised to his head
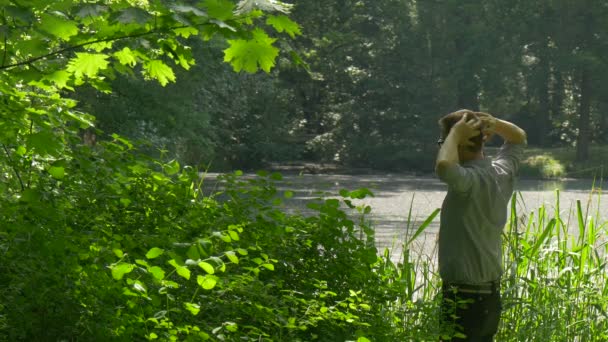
473 215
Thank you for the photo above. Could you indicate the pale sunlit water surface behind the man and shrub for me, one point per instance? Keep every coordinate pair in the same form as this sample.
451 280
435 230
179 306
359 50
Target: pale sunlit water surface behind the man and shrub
395 196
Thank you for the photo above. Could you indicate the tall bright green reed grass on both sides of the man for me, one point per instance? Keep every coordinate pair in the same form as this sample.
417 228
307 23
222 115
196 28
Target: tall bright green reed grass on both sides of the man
554 286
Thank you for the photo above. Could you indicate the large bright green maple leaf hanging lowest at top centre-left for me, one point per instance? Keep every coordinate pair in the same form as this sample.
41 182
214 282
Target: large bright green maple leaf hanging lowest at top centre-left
251 55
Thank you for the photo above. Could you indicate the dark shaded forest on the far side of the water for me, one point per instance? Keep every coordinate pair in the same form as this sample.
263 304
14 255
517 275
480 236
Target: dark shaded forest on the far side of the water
379 75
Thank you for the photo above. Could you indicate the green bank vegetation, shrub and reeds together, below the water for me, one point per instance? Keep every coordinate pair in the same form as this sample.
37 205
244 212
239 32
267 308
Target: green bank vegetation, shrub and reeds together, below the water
128 248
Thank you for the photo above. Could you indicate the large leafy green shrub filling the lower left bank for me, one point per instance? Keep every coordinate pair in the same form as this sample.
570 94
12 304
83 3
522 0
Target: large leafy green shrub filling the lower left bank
108 243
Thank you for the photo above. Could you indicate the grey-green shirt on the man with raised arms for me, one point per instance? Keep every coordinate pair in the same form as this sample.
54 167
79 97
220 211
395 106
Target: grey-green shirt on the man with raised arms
473 215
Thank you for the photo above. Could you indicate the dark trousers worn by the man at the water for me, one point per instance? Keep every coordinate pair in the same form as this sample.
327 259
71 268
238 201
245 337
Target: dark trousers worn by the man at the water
470 313
